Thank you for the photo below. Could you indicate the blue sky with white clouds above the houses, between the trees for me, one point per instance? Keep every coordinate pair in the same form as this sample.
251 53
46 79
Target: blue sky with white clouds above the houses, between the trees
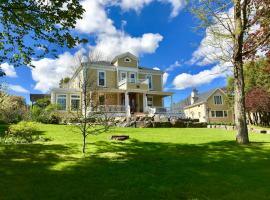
160 32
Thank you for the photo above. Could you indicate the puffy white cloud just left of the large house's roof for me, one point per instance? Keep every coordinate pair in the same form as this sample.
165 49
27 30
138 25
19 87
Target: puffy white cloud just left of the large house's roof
48 72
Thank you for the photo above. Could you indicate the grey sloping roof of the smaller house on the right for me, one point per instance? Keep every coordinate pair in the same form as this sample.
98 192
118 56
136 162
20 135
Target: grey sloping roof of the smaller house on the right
201 98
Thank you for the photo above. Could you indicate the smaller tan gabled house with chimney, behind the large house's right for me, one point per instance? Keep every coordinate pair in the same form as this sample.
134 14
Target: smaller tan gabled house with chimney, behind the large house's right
208 107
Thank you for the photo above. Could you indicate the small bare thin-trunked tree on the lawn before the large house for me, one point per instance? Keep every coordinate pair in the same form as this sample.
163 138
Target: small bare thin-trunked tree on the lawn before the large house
90 118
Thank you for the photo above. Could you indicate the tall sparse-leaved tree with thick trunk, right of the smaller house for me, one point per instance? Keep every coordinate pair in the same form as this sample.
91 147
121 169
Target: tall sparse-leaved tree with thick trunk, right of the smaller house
230 23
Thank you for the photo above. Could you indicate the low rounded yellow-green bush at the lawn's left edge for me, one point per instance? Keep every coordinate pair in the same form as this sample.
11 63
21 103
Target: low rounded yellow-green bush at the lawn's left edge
23 132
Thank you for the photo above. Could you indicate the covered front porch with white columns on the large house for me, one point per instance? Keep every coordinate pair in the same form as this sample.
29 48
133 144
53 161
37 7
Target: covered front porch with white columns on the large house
129 102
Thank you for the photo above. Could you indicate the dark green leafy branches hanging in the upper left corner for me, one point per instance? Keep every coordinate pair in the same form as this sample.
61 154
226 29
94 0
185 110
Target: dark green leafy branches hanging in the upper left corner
29 27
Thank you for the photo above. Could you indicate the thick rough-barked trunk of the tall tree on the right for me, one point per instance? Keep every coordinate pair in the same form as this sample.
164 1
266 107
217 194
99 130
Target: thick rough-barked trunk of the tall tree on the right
239 100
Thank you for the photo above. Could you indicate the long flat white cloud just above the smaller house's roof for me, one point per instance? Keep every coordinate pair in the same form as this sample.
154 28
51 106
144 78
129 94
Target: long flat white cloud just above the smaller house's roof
185 80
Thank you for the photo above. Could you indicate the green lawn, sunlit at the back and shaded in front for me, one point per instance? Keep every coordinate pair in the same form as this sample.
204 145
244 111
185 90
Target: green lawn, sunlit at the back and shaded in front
154 164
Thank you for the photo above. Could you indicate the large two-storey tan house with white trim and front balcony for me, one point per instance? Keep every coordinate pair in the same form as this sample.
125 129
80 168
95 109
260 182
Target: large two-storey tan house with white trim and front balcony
122 86
